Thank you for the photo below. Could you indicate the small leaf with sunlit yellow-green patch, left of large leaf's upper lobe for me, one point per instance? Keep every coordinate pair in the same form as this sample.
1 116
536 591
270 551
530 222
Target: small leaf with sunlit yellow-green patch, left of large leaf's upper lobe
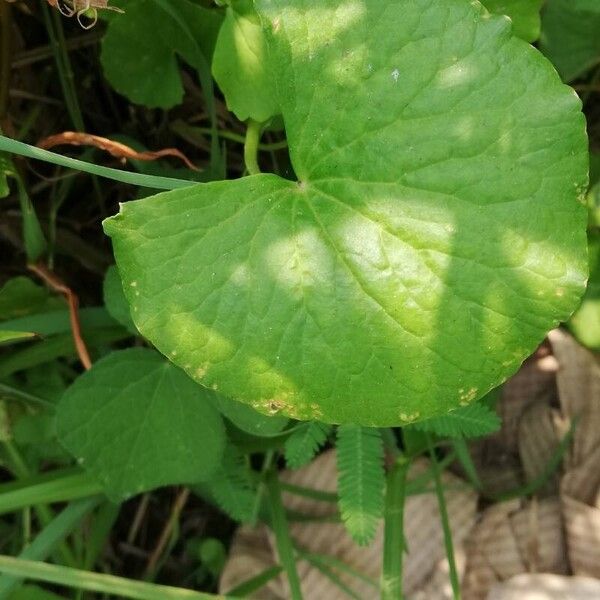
240 64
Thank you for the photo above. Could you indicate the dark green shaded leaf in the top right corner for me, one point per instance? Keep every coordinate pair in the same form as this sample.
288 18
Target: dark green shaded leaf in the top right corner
570 37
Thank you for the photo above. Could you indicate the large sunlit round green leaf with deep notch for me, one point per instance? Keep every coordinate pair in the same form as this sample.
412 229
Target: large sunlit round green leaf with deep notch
433 238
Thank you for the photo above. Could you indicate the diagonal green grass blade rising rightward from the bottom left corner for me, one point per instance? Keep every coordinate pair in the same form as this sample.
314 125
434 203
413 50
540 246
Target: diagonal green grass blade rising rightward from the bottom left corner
52 535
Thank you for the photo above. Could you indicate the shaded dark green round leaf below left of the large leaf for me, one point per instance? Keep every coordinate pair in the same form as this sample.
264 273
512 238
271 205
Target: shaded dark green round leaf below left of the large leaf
136 422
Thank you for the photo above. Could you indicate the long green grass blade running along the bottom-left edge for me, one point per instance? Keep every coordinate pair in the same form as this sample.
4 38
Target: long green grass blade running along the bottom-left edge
97 582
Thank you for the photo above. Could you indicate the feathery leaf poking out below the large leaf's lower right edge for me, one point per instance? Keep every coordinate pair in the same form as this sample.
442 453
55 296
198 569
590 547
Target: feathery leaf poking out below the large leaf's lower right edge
474 420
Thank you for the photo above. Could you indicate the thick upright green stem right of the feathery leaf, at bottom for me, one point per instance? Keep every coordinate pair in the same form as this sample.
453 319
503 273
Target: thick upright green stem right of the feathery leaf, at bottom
393 532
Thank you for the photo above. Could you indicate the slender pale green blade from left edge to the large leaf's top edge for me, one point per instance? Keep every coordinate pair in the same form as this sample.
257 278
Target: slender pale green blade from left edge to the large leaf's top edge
151 181
